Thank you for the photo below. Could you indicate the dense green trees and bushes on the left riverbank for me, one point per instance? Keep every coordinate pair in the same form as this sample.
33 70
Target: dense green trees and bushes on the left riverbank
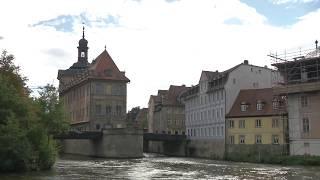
27 124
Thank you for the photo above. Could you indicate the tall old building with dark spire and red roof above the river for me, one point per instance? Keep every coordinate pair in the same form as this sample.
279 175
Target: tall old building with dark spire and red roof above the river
95 94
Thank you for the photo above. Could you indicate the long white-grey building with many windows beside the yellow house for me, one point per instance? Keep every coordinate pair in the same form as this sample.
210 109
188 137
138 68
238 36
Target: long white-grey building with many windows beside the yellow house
207 103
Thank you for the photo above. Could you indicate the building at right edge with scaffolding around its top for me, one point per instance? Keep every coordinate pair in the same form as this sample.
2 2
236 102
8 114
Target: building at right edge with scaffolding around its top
302 88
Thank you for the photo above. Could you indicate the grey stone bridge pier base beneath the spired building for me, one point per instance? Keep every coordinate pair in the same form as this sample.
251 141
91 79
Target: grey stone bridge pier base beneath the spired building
115 143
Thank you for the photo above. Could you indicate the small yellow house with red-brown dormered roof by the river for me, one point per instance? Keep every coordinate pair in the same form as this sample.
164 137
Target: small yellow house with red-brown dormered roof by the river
256 123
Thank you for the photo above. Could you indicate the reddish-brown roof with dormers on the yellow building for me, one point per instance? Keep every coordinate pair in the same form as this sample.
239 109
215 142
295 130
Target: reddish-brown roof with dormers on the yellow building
250 97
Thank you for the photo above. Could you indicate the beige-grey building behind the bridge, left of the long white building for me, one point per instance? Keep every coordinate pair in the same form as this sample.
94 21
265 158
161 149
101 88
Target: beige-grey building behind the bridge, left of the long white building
168 112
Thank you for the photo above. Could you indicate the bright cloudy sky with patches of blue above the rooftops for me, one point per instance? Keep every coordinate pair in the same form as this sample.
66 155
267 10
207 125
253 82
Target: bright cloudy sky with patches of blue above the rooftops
157 43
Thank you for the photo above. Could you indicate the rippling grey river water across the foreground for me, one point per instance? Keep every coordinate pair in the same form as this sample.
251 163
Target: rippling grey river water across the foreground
160 167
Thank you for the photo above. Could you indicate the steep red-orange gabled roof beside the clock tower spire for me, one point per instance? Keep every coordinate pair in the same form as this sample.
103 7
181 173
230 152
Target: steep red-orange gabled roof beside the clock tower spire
105 68
